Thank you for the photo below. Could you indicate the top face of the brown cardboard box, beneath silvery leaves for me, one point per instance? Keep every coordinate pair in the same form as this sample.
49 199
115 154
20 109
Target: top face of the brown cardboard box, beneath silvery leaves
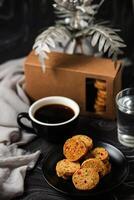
79 63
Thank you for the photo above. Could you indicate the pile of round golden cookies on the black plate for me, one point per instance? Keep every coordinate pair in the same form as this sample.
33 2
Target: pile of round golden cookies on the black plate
82 163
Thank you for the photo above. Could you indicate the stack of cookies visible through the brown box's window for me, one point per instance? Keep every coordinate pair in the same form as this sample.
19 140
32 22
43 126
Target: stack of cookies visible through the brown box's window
100 102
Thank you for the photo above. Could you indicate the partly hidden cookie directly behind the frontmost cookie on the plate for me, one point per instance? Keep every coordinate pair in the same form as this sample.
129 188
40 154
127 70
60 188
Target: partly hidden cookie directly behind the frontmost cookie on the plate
93 163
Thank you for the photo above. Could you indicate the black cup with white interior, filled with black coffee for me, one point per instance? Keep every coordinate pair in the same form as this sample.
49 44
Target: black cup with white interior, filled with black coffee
53 118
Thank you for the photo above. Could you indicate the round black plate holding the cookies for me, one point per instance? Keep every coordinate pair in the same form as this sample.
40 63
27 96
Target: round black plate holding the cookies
117 175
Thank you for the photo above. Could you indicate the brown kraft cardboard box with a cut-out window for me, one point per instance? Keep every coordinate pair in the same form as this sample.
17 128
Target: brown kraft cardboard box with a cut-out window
74 76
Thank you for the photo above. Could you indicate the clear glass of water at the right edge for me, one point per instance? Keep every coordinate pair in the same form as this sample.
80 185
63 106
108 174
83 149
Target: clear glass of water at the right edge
125 116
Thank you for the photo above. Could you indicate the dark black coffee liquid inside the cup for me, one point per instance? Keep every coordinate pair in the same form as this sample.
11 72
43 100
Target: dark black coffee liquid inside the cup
54 113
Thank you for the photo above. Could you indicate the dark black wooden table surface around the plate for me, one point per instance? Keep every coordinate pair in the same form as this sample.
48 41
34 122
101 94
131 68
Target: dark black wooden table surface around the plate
36 188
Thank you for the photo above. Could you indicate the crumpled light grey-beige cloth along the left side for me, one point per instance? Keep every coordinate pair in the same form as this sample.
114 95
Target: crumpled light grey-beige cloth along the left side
14 161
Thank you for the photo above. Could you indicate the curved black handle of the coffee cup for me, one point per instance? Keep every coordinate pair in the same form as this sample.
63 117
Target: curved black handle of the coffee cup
20 123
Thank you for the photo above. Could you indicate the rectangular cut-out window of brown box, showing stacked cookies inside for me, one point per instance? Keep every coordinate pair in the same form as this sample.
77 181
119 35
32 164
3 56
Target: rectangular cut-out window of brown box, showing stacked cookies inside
96 95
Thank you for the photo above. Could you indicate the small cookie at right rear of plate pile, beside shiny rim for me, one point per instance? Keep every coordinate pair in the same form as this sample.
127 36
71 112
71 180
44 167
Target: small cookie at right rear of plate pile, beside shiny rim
100 153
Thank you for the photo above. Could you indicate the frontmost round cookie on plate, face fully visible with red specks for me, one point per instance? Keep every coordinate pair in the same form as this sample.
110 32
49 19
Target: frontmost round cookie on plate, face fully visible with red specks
85 179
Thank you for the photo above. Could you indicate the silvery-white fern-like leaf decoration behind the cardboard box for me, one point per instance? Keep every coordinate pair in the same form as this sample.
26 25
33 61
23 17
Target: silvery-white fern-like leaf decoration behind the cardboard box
76 31
